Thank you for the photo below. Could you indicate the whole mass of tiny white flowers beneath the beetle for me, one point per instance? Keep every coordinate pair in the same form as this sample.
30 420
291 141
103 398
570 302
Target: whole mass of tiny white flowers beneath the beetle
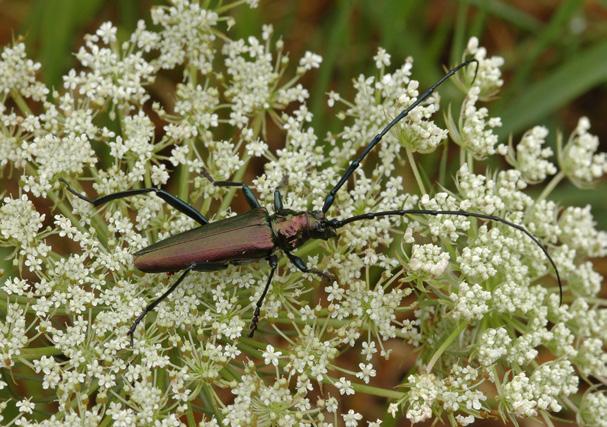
475 300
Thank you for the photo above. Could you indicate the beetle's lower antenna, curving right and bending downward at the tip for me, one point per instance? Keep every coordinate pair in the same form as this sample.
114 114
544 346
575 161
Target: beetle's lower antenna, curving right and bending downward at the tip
336 223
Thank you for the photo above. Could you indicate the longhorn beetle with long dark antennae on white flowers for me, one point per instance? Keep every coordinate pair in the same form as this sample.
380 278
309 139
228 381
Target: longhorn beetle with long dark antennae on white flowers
257 234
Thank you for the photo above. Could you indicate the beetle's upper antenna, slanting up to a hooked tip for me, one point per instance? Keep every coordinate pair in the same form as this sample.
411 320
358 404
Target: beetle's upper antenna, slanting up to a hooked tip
377 138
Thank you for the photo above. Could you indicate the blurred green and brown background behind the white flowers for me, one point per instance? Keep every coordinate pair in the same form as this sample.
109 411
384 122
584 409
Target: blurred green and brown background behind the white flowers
555 51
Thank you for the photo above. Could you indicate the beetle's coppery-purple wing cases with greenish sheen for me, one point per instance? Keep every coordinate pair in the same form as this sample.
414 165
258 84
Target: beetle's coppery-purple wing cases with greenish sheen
230 241
